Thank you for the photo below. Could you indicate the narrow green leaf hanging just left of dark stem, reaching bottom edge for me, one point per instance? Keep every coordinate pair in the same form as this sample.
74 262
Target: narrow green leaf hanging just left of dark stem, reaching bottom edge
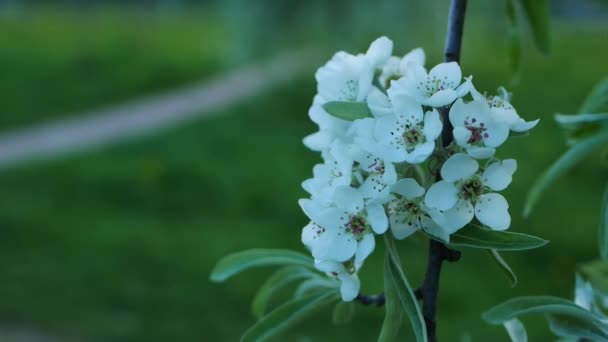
403 293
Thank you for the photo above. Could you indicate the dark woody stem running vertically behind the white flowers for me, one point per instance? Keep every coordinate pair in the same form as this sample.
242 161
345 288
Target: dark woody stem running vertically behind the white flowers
438 252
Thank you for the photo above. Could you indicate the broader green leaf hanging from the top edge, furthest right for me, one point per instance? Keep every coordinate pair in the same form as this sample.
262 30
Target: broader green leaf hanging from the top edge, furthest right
536 13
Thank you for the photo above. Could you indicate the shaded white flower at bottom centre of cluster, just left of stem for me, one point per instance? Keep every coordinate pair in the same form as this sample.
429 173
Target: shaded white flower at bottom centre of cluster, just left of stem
408 214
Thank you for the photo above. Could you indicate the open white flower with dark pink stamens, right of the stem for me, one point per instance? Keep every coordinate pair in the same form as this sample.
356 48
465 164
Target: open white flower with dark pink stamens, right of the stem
475 129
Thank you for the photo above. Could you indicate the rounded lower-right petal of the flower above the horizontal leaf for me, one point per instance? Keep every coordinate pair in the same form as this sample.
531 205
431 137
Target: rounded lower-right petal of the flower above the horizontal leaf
493 211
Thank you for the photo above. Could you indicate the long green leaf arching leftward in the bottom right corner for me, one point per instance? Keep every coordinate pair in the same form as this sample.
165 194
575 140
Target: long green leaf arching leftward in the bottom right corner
515 307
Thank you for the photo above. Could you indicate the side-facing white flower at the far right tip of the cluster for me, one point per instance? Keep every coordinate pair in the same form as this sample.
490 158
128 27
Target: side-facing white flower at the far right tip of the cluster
502 111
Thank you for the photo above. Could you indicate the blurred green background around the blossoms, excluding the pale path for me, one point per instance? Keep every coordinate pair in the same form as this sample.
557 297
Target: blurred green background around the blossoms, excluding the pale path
116 242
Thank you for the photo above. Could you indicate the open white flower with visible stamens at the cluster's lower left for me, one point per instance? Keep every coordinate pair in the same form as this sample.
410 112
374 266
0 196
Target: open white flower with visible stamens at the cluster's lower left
344 230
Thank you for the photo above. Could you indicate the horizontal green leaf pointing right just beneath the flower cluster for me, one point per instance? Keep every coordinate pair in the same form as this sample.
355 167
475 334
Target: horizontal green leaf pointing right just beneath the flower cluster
478 237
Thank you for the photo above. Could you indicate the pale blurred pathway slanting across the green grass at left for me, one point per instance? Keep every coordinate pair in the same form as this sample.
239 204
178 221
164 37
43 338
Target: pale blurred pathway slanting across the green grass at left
115 124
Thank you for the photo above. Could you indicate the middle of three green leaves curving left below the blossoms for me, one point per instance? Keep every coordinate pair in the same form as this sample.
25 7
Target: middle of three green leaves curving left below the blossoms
275 283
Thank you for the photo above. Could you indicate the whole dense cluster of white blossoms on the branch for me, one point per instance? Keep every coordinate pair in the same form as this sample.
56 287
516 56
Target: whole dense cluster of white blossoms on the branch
390 170
